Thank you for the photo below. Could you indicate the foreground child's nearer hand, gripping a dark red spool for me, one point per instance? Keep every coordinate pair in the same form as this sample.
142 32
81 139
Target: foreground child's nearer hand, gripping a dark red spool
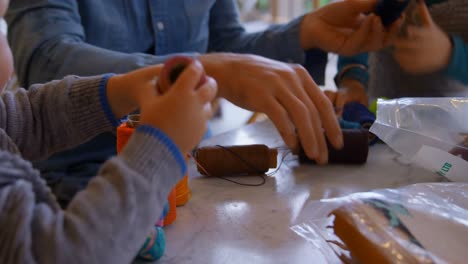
182 112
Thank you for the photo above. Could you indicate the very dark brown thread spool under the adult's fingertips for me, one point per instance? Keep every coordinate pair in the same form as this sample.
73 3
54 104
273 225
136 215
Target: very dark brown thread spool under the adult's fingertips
355 149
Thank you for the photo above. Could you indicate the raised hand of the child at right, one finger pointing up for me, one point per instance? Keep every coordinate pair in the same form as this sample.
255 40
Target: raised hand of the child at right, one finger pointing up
426 49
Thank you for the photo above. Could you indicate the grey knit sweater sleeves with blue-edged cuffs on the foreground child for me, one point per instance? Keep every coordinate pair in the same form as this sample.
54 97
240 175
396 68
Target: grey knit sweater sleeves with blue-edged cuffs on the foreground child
109 220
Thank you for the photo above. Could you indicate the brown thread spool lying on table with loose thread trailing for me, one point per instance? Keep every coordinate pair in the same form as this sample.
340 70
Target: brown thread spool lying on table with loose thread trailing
235 160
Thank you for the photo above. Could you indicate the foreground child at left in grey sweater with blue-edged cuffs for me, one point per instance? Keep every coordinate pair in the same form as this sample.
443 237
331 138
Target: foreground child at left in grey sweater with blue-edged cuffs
109 220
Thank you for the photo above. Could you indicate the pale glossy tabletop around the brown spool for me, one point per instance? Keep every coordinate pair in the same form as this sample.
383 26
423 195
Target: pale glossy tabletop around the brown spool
229 223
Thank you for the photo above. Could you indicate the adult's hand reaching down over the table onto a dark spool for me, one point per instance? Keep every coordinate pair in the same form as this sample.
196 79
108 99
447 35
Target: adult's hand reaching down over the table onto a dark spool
284 92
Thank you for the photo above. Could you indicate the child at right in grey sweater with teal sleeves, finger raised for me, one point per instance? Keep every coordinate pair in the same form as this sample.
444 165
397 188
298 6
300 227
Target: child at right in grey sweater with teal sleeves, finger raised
430 61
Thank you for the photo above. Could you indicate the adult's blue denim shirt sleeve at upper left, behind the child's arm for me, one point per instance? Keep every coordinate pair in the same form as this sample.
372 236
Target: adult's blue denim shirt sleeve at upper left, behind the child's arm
49 42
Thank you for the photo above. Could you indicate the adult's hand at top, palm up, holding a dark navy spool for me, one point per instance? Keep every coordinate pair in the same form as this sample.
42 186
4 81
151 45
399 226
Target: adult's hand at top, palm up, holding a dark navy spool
346 27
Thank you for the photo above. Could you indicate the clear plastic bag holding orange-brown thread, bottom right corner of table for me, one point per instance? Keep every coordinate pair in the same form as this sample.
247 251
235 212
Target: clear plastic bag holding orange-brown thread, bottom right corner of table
421 223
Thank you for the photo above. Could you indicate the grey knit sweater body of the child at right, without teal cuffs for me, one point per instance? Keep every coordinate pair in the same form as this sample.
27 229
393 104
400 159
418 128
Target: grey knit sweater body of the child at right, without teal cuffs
386 78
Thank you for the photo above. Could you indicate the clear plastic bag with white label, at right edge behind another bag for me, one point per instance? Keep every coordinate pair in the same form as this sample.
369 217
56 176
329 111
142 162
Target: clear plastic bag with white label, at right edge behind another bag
429 132
